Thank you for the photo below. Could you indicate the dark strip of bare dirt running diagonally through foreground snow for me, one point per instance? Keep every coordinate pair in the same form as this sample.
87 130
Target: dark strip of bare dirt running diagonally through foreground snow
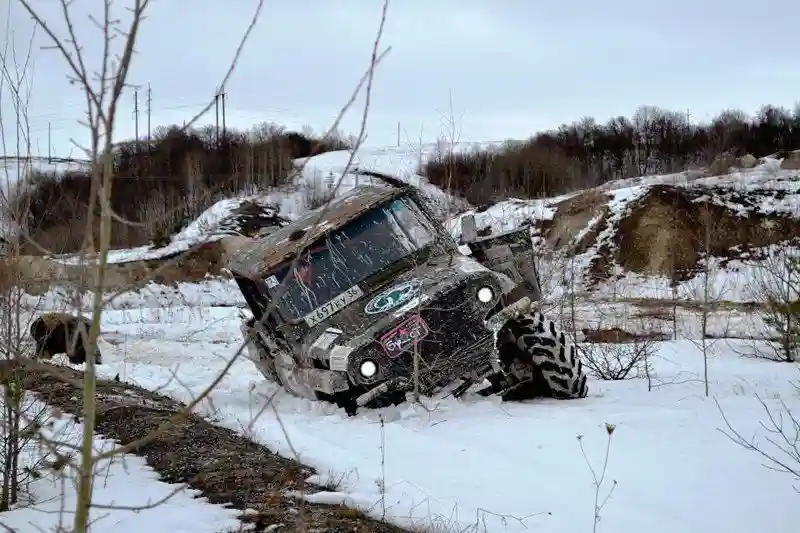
225 467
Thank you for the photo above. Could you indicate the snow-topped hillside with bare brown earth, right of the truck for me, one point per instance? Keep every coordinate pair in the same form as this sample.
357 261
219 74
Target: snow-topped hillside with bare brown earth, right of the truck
640 235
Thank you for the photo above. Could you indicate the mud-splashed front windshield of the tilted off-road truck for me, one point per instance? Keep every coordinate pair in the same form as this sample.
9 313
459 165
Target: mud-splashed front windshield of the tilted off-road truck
350 255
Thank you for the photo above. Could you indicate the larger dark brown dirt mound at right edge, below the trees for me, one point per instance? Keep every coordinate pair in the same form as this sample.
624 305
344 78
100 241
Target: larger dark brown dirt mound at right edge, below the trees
667 230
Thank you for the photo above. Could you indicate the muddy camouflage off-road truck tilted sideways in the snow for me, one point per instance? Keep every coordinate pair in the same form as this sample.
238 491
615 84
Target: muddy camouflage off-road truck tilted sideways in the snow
380 303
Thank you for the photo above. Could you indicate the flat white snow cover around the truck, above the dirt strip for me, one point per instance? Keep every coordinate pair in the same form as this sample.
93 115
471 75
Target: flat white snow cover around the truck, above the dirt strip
459 462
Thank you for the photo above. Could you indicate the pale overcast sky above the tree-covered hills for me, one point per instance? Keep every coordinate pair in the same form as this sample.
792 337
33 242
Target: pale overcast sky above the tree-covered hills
510 67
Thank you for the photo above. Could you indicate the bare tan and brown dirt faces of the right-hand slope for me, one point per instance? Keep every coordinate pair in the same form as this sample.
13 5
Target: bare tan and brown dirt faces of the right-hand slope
665 229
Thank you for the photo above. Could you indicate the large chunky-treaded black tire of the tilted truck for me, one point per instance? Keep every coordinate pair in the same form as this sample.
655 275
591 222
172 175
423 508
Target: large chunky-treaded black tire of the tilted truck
539 360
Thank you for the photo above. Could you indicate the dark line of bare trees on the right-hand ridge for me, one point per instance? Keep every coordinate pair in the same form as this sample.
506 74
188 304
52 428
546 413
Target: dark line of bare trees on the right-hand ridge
587 153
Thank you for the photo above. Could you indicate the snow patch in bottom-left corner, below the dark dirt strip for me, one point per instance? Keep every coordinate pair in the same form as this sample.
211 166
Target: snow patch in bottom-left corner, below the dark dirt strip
126 481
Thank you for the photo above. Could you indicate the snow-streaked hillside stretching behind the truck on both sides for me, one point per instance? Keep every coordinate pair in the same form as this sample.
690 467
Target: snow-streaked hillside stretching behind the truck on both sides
633 237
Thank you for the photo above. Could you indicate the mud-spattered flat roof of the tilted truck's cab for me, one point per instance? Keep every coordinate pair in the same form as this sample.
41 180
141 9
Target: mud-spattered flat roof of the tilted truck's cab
256 259
